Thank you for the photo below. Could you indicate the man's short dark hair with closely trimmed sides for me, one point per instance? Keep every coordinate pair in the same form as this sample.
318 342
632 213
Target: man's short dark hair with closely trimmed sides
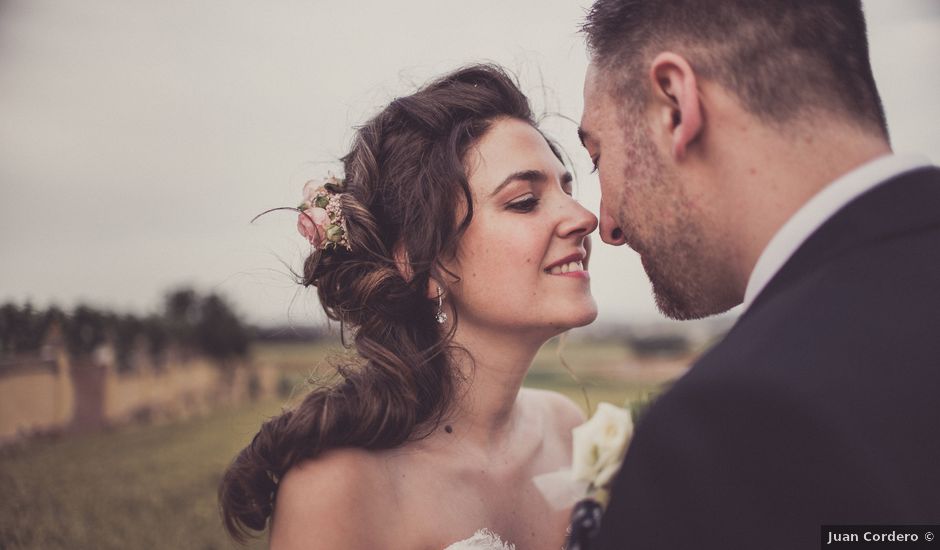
780 57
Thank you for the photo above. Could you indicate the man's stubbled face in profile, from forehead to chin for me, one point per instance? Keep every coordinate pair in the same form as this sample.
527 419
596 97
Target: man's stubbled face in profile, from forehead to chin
646 204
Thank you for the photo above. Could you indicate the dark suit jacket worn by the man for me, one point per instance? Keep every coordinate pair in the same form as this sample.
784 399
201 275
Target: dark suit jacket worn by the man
820 406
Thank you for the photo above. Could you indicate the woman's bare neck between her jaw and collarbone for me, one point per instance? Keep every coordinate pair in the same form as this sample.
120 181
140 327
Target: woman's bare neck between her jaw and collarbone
493 375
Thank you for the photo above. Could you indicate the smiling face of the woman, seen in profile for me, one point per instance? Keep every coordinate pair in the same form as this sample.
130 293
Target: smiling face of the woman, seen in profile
523 259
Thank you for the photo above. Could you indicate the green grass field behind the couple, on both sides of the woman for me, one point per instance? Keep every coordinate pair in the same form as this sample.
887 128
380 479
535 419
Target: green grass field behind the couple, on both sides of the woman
153 486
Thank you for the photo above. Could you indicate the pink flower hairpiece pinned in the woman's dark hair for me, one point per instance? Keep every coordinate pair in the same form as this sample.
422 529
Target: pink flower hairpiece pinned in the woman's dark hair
320 219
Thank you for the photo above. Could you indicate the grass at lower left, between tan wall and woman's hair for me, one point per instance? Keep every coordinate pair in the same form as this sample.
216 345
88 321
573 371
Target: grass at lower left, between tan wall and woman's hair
134 488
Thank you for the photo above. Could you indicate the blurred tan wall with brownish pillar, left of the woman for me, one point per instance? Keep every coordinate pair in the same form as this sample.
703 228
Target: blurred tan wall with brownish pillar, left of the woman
51 393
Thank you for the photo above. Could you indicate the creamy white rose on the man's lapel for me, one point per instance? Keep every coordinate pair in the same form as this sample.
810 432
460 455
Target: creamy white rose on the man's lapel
599 447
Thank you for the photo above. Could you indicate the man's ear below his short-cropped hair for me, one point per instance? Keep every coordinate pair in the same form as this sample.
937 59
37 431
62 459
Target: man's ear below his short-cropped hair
676 99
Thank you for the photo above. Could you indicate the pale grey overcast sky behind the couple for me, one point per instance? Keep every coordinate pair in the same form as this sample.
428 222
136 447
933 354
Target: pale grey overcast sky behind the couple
137 139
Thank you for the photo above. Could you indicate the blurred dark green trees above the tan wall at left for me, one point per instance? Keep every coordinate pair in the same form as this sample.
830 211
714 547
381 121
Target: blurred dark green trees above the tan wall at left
189 322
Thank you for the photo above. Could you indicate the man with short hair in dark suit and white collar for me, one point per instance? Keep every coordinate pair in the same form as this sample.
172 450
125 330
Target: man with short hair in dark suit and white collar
743 153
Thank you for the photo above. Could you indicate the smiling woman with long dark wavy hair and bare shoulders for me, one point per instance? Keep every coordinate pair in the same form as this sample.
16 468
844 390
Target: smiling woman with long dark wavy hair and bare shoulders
453 250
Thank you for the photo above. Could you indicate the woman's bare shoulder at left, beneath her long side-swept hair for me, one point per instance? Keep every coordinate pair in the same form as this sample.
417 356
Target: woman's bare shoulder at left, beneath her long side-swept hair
332 502
